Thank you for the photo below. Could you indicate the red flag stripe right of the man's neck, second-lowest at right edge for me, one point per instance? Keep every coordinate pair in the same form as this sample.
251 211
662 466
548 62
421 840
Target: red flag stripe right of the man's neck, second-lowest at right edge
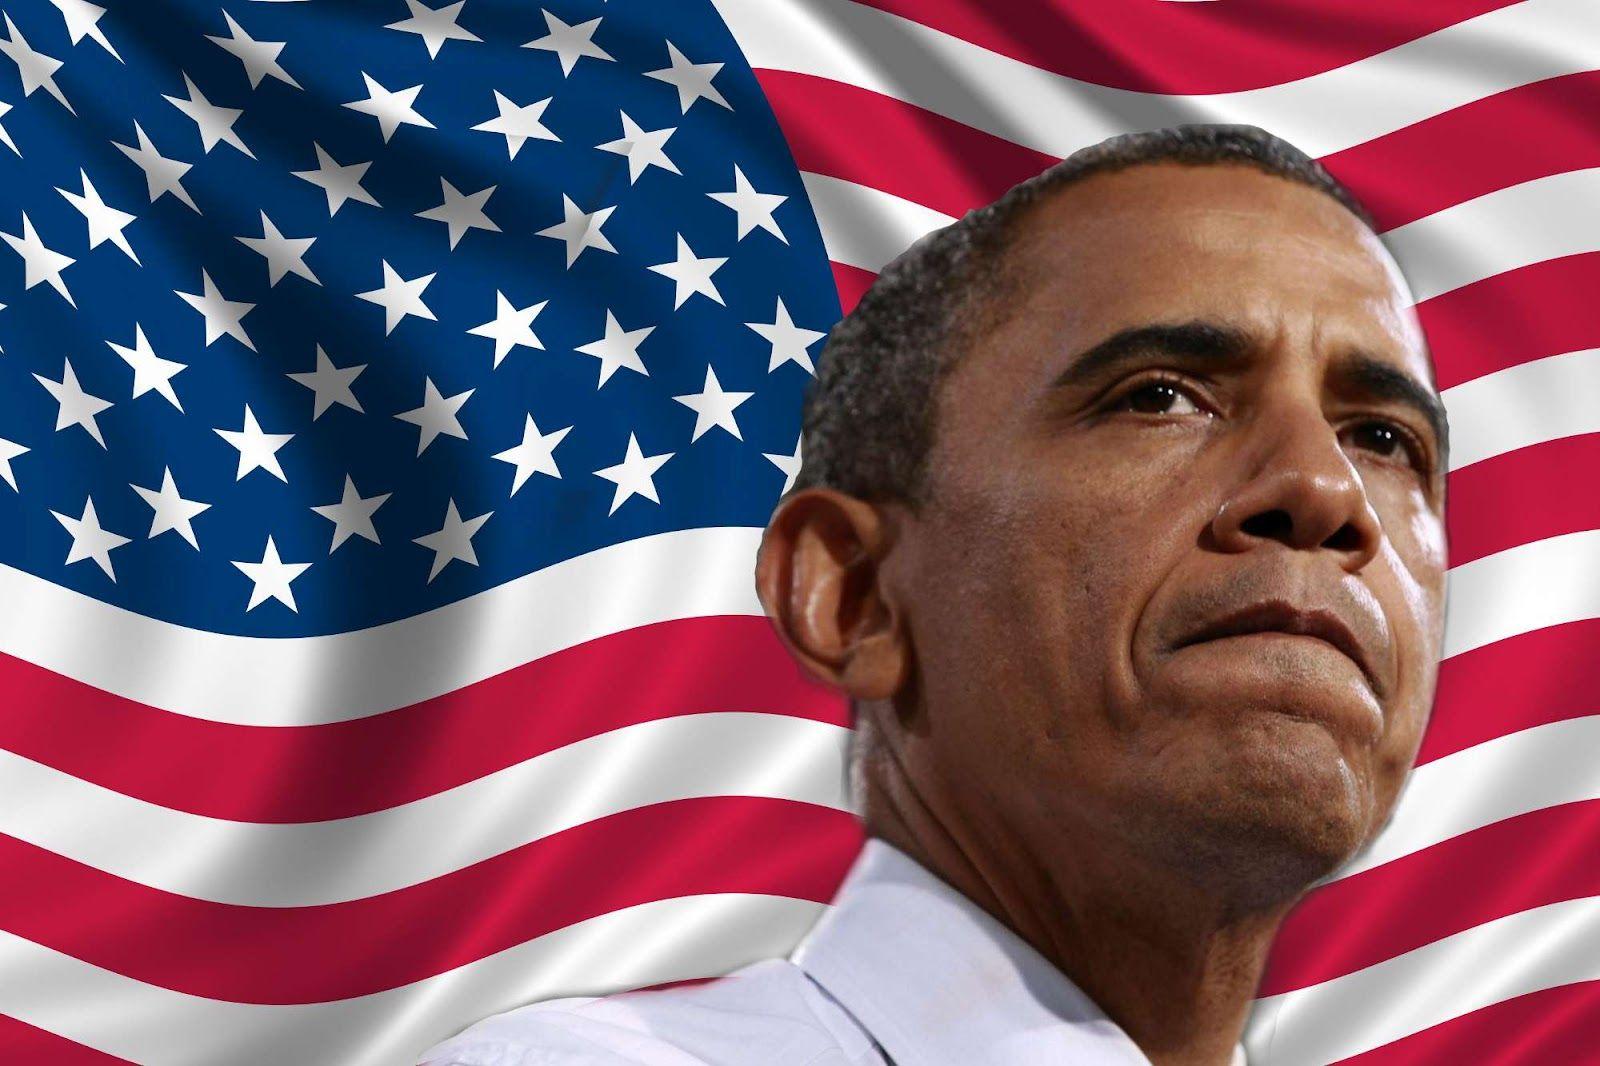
1506 868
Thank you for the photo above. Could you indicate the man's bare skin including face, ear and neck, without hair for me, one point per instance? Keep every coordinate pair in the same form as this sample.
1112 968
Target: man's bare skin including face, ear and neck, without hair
1049 726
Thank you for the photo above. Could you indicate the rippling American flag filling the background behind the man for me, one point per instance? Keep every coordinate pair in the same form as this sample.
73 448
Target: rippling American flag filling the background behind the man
394 395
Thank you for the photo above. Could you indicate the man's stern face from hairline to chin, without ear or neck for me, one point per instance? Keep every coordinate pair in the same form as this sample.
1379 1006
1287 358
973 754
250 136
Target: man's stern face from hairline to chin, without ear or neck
1188 585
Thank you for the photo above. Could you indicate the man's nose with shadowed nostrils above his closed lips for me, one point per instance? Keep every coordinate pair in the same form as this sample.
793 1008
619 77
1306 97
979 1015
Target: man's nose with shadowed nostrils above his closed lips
1302 492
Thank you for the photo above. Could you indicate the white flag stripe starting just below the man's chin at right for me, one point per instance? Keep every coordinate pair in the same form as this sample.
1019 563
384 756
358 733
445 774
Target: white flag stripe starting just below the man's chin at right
1492 782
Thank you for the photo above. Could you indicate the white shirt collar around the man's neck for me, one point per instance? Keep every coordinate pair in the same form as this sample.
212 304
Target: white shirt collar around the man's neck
940 982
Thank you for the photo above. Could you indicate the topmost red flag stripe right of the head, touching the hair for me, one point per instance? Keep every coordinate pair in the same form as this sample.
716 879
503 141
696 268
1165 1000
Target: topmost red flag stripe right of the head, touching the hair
1442 161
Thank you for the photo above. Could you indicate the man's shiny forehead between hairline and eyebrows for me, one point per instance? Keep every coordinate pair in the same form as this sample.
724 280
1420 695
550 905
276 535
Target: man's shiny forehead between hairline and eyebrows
1182 242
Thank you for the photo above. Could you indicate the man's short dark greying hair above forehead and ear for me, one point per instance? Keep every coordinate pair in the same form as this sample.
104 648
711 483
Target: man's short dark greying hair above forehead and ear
870 417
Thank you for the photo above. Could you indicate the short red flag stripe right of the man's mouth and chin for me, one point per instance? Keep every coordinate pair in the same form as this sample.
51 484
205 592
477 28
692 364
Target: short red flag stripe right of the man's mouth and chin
1511 686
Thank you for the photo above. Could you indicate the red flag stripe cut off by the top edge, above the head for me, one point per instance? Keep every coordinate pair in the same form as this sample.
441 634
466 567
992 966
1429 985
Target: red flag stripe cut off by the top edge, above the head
1188 47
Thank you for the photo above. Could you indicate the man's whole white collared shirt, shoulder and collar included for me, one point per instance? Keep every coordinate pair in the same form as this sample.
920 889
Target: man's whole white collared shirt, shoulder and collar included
903 971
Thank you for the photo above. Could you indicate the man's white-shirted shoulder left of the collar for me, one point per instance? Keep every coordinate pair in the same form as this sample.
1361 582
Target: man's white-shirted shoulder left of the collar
769 1012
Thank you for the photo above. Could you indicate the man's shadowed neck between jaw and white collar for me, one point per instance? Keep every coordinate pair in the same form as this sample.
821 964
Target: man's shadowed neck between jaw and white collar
1172 964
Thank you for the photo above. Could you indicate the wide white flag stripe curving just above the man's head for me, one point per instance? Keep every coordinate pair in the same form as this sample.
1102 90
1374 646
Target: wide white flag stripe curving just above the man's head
1321 114
